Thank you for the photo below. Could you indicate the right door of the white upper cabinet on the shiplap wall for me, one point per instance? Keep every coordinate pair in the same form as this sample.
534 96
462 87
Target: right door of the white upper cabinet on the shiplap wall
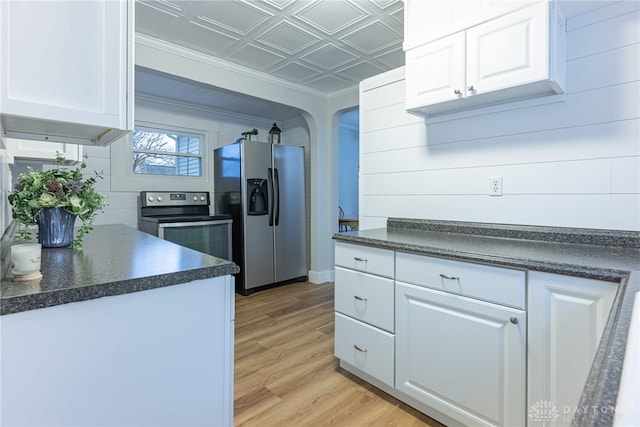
508 51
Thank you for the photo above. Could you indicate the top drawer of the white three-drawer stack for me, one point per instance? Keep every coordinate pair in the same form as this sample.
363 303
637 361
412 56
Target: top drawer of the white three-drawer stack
364 258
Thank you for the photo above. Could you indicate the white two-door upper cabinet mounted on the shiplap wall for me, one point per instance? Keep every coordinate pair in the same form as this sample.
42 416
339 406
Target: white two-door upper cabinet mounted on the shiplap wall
516 56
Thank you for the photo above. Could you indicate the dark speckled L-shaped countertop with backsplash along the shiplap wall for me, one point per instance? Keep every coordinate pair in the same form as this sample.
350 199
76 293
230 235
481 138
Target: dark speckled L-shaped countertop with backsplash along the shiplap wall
598 254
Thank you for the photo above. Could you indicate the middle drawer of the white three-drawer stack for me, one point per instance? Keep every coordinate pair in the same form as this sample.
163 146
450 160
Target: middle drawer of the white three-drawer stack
365 297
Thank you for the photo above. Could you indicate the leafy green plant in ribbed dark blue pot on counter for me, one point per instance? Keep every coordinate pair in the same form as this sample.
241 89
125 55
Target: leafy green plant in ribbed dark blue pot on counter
52 200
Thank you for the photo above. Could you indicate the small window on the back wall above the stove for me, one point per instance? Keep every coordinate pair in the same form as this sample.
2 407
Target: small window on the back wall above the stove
161 152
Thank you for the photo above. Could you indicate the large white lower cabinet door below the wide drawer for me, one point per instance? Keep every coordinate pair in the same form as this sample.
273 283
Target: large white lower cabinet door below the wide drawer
463 357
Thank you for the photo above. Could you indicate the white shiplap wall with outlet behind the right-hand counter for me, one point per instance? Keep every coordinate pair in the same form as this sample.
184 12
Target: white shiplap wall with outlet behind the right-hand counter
570 160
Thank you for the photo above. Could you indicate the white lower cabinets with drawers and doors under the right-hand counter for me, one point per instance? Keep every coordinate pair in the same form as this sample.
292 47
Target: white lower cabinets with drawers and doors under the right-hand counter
467 343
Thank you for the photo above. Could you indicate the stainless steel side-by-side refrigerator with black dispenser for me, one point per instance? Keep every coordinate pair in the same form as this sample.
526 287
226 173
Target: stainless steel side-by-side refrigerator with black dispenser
262 187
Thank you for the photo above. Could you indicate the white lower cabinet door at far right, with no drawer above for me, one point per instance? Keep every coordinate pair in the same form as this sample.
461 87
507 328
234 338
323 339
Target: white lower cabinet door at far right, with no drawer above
566 318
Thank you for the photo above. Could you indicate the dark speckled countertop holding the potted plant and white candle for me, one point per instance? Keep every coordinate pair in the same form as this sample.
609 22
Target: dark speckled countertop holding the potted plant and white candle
115 260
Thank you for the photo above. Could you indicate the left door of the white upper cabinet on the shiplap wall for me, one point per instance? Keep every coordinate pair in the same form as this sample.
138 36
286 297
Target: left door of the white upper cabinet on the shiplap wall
435 72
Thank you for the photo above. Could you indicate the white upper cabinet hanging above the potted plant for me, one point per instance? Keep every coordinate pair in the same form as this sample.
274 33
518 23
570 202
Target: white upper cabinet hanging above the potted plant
67 70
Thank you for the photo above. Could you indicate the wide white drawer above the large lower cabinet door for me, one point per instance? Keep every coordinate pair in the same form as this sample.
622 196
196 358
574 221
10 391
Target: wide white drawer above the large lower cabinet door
495 284
